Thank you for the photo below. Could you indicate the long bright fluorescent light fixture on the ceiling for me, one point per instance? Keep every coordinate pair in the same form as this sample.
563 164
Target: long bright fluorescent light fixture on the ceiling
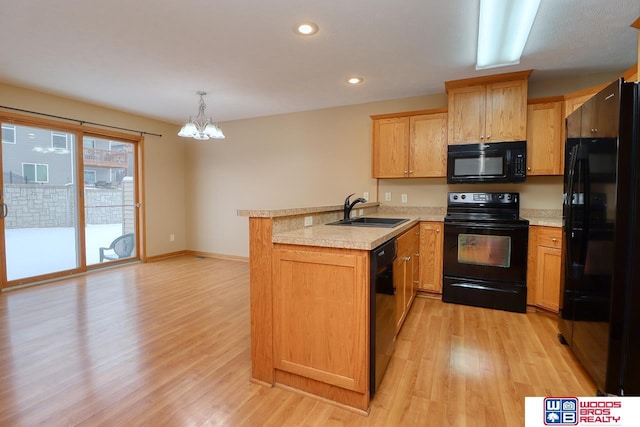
503 31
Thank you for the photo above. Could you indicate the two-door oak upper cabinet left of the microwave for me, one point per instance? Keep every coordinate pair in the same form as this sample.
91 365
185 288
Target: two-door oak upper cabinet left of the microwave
410 145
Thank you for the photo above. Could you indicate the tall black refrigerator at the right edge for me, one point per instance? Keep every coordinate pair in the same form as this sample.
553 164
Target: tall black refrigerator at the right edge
599 314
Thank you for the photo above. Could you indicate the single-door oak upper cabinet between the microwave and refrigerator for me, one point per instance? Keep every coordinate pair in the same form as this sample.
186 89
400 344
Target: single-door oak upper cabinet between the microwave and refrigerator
545 139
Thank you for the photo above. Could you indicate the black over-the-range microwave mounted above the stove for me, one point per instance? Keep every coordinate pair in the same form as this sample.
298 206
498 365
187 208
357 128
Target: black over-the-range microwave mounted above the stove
485 163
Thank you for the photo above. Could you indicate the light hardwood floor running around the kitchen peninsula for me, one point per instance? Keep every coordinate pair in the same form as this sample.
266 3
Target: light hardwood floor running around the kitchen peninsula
167 343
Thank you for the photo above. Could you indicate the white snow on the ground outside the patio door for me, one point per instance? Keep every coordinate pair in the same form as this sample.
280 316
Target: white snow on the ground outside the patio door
35 251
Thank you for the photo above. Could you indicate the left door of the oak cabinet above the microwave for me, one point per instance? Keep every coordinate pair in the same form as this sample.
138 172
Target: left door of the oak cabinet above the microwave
466 114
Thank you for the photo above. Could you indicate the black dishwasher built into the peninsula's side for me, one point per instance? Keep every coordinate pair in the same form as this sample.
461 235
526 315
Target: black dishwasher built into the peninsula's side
382 311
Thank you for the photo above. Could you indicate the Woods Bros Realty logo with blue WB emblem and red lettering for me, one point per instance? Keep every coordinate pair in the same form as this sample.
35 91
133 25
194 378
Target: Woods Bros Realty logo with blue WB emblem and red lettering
571 411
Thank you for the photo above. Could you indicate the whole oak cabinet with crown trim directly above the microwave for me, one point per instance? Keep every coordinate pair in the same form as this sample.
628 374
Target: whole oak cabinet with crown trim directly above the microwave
488 109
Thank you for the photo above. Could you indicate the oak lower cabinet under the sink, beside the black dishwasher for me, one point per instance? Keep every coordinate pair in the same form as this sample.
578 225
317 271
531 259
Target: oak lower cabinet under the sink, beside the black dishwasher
406 269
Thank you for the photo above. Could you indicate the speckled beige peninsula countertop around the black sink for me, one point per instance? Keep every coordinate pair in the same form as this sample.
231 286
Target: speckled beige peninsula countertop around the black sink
346 237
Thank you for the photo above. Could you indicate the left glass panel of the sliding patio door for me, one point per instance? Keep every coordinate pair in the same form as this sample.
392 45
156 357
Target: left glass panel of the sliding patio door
40 196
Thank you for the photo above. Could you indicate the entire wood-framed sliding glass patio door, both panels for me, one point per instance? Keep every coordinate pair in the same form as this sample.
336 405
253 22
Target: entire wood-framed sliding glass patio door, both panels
69 201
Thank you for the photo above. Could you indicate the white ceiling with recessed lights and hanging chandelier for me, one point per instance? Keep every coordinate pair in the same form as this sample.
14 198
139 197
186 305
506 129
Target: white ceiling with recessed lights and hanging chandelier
150 56
